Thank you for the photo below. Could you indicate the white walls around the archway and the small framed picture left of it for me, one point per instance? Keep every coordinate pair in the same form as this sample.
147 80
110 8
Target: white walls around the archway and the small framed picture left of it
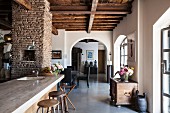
67 39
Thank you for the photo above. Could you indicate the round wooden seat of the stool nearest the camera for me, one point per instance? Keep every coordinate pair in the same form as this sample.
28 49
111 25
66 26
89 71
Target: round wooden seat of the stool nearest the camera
48 103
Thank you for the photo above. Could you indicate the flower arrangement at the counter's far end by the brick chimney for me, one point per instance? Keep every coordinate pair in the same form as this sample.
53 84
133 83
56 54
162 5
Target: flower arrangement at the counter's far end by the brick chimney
55 68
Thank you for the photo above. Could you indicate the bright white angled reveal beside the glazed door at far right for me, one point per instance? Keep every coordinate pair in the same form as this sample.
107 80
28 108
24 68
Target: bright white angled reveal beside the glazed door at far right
162 22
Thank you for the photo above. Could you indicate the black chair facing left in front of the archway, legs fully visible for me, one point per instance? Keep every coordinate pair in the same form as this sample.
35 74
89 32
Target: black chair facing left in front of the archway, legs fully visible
84 76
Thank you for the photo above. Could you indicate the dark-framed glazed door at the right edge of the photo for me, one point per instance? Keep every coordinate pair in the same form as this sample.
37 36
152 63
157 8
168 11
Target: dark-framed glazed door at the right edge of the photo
165 72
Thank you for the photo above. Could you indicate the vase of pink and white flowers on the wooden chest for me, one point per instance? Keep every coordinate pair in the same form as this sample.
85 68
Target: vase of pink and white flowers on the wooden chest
125 72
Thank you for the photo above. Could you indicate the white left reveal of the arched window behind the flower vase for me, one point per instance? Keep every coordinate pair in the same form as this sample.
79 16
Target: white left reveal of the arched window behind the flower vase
117 53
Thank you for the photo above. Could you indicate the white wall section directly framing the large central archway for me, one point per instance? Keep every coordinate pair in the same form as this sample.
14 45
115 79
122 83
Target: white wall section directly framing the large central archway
73 37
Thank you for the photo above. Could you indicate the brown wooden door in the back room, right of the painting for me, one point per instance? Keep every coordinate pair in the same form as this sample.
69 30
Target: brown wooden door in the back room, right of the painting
101 61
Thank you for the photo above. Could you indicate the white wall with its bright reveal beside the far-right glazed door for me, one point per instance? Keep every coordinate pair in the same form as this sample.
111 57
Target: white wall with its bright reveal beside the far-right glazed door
152 24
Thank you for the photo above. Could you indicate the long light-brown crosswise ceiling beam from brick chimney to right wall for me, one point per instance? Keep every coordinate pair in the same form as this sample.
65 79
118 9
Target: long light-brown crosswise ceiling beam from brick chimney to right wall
89 12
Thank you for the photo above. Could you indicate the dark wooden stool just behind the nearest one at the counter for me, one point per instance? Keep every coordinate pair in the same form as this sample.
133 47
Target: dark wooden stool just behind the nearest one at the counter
62 96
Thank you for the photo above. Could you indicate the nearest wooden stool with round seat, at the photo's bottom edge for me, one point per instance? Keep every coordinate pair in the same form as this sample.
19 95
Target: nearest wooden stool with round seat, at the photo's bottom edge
48 103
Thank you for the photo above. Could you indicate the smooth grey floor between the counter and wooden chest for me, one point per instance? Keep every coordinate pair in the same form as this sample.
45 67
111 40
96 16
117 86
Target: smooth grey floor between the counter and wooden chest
95 99
